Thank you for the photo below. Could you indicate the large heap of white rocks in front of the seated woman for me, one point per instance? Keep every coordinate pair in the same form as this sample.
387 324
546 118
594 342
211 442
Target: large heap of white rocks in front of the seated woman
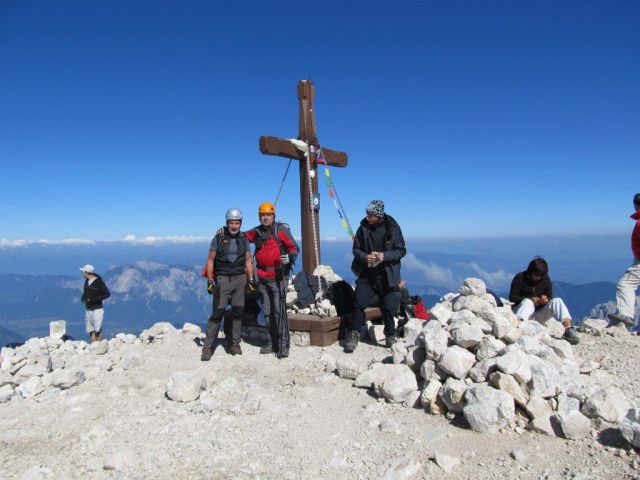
477 360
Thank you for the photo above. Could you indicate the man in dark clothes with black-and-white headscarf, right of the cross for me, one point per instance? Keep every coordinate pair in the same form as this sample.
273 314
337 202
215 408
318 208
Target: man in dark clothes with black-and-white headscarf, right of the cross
378 247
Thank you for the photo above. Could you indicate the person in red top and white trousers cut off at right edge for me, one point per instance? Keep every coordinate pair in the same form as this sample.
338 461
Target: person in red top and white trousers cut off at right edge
630 281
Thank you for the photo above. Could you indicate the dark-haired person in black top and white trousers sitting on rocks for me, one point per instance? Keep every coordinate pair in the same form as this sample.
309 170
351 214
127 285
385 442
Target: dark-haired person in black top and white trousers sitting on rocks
532 295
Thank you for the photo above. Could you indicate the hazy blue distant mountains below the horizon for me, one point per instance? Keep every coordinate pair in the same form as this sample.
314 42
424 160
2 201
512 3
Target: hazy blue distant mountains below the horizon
146 292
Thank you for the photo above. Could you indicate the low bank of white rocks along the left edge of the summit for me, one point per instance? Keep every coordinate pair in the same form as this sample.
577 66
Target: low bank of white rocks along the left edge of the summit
44 367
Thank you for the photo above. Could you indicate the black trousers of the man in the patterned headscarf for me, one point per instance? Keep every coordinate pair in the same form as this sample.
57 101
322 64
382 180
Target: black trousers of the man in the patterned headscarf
367 289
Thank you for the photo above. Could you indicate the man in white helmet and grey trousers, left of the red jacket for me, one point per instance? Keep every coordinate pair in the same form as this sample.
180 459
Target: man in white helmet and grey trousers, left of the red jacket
229 271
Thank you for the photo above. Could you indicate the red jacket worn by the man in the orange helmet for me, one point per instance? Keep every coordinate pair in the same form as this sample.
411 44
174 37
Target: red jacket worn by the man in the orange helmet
268 255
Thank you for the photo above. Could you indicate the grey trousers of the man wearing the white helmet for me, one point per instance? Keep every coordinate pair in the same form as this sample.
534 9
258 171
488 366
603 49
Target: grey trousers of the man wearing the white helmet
228 289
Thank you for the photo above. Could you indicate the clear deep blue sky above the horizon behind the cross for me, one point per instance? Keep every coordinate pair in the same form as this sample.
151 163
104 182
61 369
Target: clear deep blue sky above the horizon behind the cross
468 118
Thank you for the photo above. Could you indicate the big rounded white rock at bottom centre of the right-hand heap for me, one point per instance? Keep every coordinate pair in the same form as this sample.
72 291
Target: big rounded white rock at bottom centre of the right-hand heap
488 409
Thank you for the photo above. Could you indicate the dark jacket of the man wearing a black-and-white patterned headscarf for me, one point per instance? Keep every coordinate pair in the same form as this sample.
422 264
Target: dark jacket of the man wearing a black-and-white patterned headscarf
394 249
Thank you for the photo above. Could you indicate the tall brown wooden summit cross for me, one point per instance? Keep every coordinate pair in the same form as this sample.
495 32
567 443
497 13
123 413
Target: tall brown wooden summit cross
284 148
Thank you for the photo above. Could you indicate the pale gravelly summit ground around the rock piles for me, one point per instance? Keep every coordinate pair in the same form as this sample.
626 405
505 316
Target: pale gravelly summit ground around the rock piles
260 417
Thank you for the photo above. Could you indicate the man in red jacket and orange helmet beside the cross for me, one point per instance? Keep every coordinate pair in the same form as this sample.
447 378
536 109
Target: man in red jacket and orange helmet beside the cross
276 251
